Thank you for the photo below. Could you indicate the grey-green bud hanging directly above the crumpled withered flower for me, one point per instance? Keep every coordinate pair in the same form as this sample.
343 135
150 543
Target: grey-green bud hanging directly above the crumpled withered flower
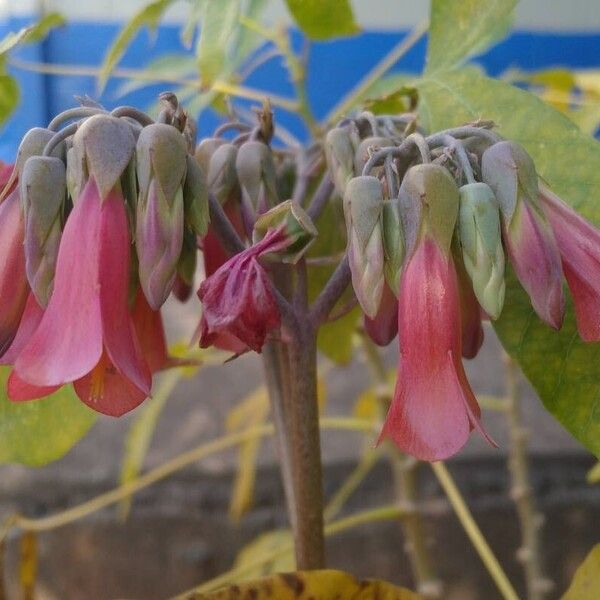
256 175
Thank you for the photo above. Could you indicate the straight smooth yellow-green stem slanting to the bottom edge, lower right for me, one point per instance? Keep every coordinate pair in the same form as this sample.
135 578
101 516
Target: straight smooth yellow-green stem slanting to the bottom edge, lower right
473 532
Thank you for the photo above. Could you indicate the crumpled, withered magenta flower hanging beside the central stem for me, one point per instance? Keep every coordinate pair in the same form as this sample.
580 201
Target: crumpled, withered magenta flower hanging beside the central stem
238 302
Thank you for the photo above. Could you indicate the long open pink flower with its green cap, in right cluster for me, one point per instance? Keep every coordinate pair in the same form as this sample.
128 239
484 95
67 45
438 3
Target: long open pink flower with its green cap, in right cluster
433 409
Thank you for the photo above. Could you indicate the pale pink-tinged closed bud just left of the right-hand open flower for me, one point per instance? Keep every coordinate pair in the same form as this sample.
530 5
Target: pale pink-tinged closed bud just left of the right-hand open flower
363 204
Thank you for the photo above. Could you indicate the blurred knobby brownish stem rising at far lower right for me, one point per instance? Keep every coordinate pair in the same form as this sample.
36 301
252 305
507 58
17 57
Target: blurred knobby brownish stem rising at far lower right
529 554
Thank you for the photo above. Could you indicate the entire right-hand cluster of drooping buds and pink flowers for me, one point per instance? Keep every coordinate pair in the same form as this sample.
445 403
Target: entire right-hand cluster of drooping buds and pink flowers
431 222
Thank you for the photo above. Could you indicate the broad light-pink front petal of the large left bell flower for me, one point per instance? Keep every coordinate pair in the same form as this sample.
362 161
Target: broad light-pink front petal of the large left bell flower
68 342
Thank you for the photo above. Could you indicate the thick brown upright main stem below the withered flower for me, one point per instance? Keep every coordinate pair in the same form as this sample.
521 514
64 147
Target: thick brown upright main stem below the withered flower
306 448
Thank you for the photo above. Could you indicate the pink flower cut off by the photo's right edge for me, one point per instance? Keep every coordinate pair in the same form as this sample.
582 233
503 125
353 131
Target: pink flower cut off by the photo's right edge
579 246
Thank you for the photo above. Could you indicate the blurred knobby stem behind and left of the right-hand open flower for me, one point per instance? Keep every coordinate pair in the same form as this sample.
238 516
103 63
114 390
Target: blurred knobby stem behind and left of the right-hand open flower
404 471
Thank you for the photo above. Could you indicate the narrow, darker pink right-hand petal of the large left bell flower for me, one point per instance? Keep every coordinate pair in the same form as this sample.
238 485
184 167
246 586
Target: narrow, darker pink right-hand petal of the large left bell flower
113 274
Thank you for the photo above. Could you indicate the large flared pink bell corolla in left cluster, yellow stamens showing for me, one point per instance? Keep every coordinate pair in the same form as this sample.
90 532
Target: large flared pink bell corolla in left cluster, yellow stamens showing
86 334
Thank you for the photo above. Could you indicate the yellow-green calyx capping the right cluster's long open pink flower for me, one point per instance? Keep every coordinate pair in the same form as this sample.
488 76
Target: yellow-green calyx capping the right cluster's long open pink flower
429 205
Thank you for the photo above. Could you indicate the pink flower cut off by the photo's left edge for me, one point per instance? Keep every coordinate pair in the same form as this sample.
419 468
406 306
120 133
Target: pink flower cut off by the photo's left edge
13 279
